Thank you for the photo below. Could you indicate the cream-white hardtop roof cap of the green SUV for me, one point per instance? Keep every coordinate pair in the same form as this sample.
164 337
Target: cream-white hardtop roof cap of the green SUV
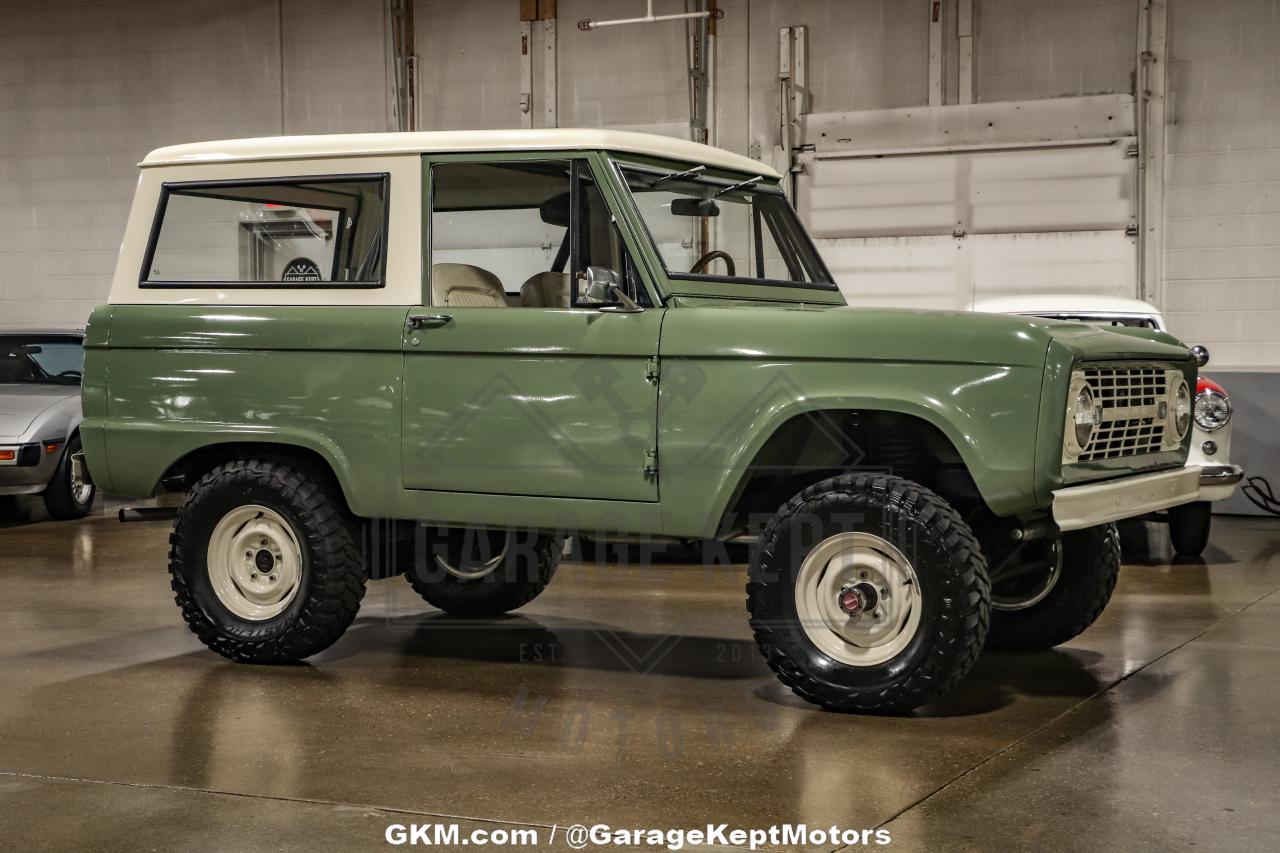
290 148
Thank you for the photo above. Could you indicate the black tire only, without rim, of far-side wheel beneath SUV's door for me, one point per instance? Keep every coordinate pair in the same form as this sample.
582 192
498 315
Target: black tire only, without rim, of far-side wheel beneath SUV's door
520 578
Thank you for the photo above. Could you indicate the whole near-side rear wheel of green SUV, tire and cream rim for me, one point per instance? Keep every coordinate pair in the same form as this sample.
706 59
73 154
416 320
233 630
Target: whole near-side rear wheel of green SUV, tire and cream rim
264 563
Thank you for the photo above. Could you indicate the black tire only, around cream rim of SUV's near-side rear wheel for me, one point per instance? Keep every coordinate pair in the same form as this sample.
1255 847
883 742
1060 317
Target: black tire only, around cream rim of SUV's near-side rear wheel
332 576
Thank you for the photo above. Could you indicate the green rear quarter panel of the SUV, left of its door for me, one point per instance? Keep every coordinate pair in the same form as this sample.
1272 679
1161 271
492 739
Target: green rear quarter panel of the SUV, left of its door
182 378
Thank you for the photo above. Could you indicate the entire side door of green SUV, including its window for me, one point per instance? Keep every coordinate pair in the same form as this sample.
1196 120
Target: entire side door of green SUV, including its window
509 390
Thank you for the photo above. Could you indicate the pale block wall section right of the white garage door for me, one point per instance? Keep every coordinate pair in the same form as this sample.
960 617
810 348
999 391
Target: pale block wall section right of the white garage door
1223 181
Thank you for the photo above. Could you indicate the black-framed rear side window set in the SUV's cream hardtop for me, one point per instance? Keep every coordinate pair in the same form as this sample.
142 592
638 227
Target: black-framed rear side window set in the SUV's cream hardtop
282 232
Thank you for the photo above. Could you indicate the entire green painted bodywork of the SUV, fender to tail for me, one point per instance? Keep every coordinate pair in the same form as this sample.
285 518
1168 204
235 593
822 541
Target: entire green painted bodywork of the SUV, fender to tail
579 419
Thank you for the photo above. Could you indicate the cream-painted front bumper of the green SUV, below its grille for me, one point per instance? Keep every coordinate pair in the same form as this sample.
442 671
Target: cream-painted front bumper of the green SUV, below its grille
1086 507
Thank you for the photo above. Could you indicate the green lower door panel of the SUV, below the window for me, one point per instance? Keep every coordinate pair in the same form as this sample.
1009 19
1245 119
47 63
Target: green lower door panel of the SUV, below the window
533 402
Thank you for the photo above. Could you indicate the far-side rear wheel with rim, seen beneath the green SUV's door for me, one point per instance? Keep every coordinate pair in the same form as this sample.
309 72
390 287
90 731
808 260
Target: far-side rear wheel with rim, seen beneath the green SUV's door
477 573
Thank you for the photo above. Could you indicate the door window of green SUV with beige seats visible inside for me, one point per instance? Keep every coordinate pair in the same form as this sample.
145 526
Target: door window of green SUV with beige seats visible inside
508 235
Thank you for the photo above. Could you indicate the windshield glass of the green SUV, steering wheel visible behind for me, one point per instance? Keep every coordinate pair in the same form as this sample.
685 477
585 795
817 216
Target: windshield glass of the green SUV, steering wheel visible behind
717 230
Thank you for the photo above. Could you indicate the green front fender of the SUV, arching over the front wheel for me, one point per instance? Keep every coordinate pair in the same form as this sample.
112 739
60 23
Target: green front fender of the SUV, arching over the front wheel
733 376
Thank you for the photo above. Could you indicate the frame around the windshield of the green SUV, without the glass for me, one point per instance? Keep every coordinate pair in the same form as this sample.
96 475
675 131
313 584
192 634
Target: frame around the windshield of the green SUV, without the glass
682 284
